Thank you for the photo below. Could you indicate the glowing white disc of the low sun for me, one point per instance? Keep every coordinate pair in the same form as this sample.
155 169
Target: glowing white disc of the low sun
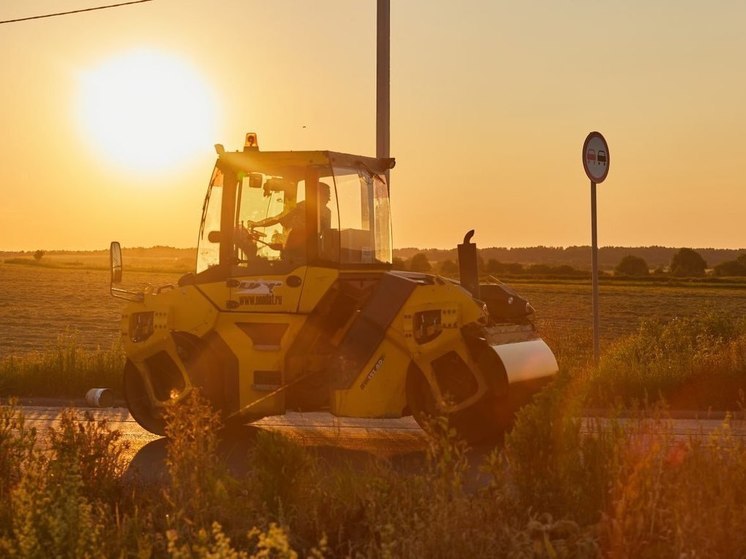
146 110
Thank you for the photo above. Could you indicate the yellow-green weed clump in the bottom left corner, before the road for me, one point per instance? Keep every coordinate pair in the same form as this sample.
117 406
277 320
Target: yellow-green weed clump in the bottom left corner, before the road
59 503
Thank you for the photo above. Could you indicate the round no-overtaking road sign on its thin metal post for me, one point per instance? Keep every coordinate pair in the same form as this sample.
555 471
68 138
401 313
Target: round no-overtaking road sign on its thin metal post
596 165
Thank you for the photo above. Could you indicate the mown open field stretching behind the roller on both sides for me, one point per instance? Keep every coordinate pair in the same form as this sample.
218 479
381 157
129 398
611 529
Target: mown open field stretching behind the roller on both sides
38 303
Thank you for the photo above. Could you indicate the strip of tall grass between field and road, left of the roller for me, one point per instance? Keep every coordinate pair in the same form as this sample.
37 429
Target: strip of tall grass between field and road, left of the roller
65 370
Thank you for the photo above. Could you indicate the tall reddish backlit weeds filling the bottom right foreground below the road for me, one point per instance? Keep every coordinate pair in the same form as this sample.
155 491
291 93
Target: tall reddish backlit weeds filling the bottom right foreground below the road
631 486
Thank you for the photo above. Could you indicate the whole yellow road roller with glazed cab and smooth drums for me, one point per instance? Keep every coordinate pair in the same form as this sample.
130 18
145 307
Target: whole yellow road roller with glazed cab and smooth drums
294 305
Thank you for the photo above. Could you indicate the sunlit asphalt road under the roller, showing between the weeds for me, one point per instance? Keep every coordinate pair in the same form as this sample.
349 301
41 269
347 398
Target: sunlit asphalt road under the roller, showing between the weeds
400 441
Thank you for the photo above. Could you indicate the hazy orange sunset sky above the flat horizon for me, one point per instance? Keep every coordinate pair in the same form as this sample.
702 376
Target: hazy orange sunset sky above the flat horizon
108 118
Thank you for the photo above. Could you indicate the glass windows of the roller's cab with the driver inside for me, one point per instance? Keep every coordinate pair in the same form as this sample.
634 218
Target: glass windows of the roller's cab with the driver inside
265 219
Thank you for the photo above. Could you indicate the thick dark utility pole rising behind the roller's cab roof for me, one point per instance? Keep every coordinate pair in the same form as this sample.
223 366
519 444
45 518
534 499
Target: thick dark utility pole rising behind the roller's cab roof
383 114
